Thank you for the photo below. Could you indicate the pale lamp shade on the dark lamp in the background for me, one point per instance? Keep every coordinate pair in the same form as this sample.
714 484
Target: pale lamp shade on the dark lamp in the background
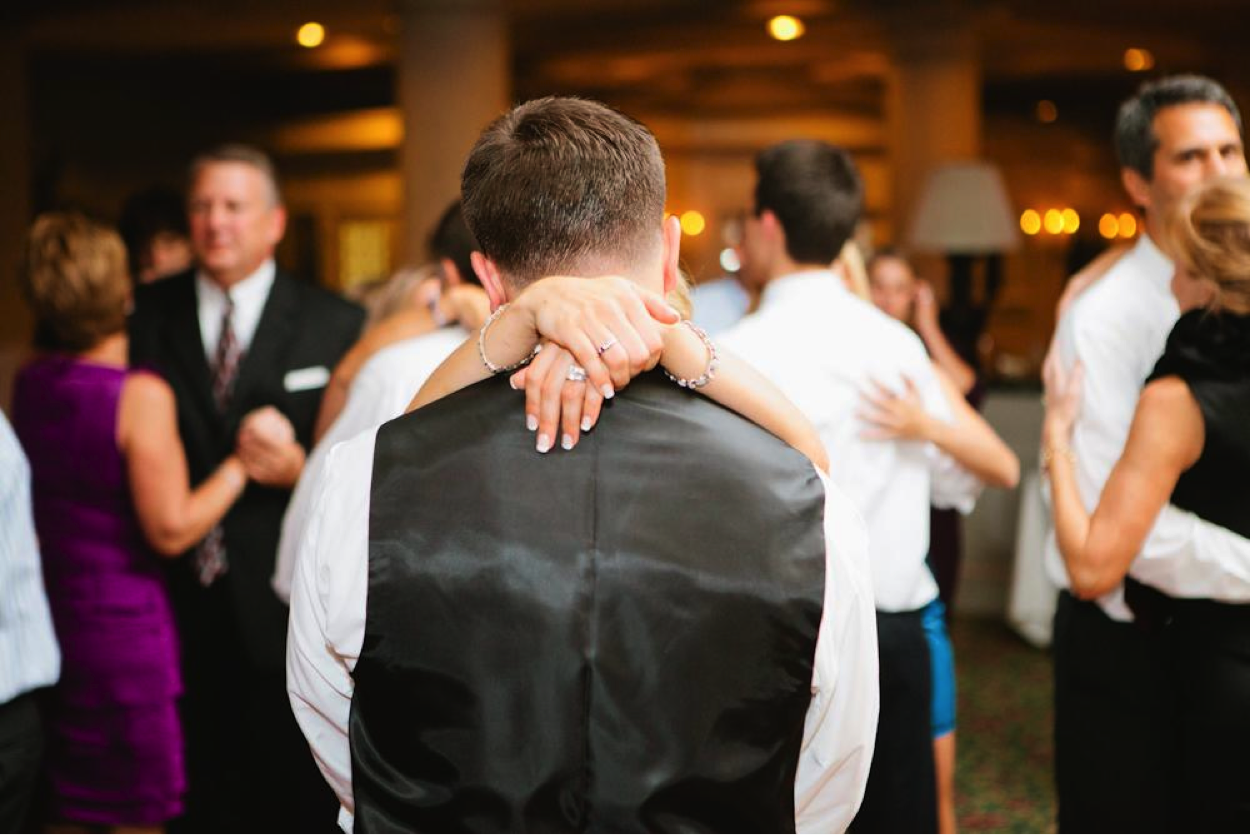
964 211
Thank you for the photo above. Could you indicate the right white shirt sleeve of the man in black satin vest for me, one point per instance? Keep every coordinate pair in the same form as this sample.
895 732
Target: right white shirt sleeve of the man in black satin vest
841 729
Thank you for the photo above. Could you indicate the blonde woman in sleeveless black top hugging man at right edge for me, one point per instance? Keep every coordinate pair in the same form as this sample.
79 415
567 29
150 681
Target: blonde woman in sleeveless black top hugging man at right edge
1189 446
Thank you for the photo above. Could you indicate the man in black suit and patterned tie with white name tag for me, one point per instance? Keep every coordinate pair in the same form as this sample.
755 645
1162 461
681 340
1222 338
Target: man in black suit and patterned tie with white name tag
248 351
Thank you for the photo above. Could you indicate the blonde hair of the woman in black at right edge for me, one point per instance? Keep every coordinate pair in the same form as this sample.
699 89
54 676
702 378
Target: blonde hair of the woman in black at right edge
1209 236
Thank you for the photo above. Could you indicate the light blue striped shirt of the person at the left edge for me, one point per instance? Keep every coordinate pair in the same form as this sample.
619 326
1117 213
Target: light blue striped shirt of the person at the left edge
29 657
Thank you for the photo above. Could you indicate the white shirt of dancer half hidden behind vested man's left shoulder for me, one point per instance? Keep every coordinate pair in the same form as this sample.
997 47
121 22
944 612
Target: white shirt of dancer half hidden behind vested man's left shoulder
384 387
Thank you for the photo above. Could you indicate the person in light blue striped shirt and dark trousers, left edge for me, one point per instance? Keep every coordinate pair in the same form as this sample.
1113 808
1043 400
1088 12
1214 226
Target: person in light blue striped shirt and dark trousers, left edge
29 657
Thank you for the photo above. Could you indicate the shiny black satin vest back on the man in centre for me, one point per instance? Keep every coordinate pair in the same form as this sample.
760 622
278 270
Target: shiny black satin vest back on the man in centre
616 639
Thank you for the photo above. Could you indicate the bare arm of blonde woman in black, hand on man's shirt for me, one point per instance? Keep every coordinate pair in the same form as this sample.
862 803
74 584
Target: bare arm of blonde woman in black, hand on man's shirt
1166 439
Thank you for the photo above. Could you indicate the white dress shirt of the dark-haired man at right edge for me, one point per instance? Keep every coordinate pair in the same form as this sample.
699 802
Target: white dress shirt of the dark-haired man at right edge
1118 331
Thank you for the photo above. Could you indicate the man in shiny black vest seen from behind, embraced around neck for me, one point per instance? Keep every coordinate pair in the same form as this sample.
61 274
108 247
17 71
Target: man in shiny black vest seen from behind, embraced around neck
567 643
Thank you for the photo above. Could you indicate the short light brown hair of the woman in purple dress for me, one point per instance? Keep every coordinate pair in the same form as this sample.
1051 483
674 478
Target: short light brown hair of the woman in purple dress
74 276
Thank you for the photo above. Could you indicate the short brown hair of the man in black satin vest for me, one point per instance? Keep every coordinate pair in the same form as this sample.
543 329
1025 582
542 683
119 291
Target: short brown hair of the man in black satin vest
564 186
